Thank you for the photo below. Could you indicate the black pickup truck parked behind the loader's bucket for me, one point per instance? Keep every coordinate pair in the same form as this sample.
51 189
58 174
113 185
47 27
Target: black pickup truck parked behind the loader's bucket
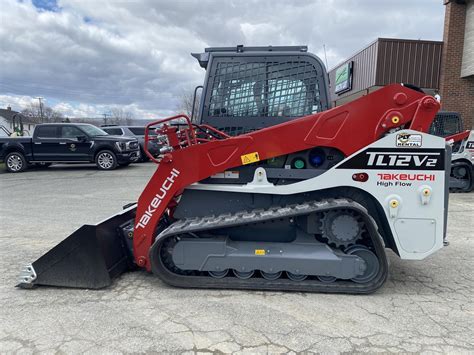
68 143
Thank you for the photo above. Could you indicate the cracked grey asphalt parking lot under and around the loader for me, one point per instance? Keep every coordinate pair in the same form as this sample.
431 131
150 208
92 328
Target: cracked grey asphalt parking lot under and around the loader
424 306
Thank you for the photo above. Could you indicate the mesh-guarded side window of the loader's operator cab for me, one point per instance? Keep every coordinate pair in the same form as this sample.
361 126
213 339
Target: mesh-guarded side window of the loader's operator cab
263 89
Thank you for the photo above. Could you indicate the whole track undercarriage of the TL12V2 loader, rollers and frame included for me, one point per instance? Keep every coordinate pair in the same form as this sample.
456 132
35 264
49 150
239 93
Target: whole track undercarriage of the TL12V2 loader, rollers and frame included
320 246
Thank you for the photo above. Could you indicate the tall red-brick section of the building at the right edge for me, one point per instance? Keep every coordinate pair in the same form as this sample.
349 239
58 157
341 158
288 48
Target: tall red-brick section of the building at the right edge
457 63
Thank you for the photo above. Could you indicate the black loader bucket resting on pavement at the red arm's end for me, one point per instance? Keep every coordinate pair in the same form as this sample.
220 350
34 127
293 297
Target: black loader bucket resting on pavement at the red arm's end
91 257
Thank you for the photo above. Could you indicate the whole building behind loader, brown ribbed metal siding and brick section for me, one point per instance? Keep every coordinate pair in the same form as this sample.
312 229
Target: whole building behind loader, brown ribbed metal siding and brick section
444 67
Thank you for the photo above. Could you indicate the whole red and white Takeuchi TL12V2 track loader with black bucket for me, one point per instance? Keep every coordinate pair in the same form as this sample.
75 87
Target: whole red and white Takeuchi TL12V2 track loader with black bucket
272 189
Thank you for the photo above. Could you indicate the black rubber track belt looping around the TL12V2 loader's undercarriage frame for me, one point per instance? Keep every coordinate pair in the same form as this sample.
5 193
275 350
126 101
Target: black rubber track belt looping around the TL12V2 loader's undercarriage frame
258 283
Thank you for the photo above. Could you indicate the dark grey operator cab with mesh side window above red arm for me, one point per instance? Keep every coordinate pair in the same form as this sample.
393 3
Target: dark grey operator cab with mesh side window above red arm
249 88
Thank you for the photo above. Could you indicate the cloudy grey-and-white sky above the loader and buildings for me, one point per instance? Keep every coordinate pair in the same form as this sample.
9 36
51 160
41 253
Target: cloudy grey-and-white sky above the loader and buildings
90 56
